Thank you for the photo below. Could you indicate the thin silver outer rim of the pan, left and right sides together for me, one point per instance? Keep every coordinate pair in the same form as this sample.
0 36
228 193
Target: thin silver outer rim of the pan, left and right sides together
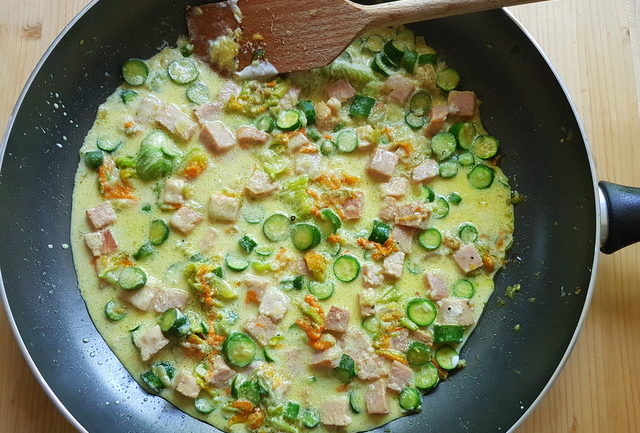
65 412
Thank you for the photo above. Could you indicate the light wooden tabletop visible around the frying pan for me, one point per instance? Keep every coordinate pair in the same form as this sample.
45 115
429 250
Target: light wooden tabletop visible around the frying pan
595 45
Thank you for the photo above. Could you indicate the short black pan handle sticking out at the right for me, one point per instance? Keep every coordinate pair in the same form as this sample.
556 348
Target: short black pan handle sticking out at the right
620 209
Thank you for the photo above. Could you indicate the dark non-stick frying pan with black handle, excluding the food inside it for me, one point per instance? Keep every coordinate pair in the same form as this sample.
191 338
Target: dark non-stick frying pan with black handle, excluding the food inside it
558 227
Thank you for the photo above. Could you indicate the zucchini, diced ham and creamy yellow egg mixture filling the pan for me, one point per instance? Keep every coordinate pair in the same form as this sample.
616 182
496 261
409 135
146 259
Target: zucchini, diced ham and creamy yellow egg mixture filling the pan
297 253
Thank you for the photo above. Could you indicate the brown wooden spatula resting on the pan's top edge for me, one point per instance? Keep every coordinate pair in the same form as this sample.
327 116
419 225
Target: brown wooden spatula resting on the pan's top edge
297 35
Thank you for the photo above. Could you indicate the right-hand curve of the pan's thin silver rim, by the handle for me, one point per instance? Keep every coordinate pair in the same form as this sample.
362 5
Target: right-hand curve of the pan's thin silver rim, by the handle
596 252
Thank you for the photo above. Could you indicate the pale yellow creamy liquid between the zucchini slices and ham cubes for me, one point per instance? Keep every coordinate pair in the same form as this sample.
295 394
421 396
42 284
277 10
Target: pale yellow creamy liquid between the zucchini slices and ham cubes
489 210
